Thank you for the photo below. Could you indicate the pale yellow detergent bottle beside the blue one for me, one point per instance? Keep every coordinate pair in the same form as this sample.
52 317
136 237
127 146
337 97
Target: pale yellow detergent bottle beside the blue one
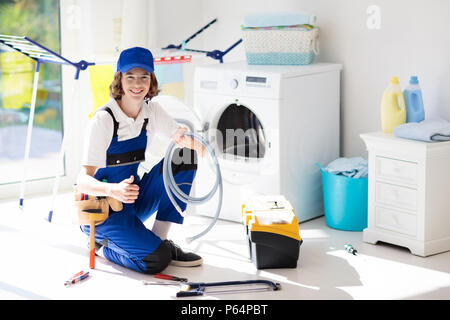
393 111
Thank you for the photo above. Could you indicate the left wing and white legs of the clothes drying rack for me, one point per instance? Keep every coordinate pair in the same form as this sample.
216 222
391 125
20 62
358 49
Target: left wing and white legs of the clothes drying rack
40 54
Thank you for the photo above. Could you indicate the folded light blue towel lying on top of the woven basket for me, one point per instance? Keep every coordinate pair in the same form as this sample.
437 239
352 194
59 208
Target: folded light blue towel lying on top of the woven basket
278 19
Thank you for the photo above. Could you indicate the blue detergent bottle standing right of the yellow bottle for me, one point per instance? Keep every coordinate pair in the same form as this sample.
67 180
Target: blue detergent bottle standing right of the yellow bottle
413 101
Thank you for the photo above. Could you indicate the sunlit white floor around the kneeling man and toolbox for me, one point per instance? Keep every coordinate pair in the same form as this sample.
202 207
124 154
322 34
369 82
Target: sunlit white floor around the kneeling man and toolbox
37 257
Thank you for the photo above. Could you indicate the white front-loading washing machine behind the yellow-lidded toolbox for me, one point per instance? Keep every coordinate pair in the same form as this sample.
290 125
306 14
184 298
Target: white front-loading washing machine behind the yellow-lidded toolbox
269 125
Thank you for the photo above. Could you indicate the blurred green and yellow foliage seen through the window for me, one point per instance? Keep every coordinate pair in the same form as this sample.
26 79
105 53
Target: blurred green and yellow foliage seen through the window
38 20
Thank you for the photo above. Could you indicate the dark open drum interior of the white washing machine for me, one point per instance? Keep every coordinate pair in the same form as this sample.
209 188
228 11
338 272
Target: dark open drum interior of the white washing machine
240 133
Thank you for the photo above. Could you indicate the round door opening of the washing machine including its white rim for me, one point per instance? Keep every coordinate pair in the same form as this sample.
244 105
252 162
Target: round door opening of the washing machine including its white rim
238 137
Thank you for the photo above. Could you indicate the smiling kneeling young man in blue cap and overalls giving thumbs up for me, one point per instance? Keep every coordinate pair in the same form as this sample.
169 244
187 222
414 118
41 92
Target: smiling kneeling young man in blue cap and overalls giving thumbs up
118 136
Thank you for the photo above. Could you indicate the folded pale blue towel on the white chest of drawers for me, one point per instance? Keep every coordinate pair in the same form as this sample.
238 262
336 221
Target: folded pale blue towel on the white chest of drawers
431 130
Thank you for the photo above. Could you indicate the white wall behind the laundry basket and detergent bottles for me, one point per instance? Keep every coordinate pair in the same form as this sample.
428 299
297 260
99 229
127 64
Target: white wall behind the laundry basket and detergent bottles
413 39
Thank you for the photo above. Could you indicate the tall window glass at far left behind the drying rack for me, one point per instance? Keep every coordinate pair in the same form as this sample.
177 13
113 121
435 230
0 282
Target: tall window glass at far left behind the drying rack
38 20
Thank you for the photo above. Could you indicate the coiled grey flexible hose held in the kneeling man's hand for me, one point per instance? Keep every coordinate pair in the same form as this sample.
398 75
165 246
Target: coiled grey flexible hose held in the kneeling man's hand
172 188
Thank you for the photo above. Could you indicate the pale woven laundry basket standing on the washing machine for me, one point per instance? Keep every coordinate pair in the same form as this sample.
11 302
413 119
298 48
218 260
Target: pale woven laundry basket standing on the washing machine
295 45
